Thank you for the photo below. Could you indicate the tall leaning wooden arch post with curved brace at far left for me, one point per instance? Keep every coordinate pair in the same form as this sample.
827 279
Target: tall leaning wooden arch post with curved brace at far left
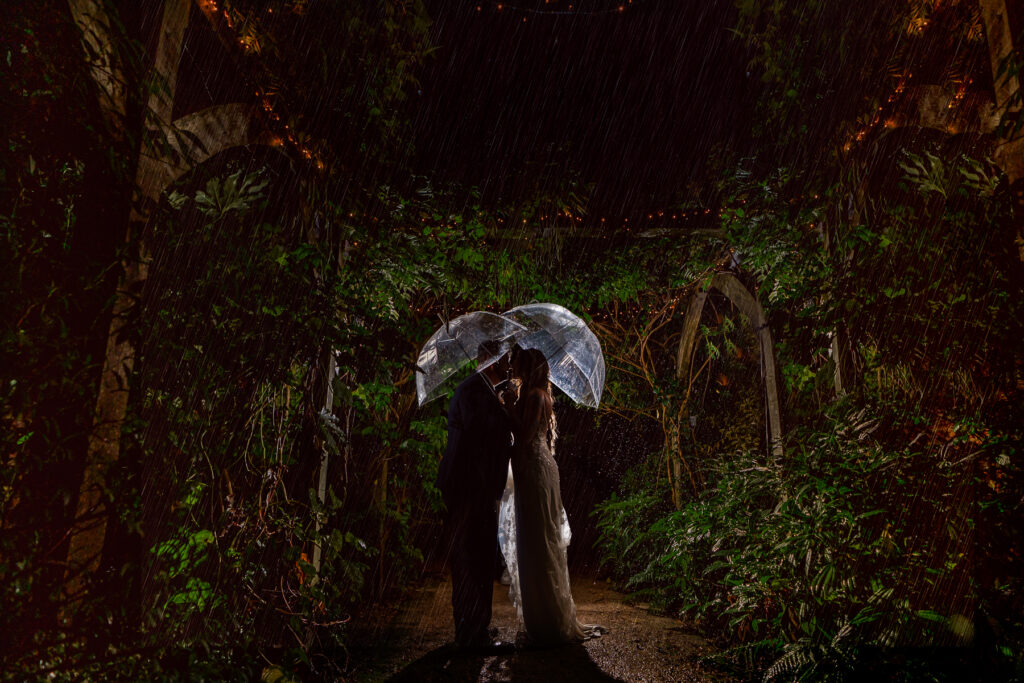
168 151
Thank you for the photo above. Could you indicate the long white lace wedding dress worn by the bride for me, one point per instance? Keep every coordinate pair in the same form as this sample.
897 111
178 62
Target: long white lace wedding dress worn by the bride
534 534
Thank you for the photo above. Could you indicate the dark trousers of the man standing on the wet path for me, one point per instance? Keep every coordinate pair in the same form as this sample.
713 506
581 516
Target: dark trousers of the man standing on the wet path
472 533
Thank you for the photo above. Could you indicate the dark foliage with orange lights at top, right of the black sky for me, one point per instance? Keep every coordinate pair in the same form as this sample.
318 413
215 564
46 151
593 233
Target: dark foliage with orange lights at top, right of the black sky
833 73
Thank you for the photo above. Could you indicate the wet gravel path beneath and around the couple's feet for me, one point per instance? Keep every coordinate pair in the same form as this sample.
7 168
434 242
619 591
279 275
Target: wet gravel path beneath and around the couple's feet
412 643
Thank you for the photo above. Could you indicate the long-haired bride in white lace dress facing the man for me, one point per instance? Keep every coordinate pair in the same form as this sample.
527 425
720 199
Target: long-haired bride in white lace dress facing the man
535 532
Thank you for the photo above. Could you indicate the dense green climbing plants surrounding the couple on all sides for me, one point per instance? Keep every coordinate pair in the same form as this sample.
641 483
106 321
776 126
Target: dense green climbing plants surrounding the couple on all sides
276 476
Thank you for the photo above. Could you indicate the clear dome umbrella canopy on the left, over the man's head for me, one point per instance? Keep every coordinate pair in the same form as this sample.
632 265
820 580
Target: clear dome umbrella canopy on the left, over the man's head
455 346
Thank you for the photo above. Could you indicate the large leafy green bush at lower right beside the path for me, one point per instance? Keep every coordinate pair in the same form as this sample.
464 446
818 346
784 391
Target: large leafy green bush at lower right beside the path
807 566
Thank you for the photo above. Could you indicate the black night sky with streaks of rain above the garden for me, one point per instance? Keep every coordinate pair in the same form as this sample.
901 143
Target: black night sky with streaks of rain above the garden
633 102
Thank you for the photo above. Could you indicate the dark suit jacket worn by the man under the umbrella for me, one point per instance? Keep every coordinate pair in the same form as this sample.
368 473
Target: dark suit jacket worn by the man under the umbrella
480 445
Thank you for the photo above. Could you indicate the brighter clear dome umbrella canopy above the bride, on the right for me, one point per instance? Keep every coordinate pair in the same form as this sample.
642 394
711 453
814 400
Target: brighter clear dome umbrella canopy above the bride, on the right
573 351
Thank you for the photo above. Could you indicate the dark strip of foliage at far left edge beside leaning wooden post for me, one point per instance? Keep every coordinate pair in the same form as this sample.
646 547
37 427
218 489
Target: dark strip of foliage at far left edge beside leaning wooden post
62 177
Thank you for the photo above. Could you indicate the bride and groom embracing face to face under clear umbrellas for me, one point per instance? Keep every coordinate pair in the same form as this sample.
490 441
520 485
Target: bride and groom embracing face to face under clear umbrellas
490 425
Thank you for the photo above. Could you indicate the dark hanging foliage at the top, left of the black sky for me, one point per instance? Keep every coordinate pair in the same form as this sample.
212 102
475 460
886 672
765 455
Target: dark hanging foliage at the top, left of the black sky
339 94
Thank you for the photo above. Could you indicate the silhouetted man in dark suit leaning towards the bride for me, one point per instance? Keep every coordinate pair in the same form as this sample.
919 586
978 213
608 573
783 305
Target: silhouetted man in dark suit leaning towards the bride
472 478
